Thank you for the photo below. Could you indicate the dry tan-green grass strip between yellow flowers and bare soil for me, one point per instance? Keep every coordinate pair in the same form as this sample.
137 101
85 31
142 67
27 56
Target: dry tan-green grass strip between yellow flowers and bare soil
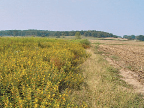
104 88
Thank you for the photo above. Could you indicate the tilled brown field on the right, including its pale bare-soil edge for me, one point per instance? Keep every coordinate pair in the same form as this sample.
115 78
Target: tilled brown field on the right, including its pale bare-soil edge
128 56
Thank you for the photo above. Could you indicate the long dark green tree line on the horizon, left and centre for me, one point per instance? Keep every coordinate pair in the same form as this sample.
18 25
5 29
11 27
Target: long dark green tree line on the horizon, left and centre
46 33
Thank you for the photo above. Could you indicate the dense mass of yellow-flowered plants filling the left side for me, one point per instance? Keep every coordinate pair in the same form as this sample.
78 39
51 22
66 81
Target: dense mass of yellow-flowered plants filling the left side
39 72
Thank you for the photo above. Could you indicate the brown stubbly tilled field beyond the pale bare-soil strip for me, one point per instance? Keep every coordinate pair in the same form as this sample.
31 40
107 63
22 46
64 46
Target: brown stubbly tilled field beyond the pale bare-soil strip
127 54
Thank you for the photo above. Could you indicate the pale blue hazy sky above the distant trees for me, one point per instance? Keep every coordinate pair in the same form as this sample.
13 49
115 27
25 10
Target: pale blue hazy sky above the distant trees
119 17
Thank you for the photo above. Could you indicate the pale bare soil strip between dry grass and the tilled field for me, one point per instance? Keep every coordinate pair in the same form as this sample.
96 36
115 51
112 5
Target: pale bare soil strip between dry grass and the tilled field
130 77
